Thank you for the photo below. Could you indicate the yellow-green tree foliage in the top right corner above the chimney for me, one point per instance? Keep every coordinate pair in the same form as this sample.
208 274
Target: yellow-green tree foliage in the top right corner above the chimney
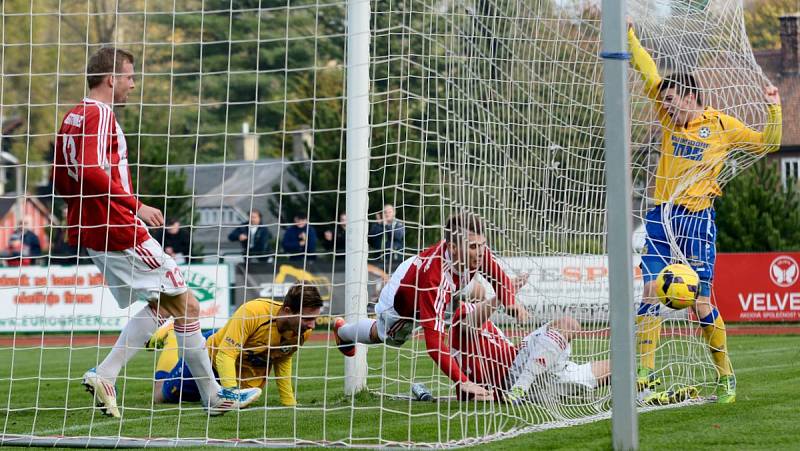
761 18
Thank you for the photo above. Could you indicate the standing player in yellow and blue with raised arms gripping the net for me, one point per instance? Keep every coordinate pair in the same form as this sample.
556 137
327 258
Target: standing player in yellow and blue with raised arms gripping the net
696 141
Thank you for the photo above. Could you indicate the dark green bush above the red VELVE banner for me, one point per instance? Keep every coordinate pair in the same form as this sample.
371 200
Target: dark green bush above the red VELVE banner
757 214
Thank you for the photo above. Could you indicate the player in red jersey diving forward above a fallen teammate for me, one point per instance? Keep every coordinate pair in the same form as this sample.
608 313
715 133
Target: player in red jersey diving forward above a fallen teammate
420 290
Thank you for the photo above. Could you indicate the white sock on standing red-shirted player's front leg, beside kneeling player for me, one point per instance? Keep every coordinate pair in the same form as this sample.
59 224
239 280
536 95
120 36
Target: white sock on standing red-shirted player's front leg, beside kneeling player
192 348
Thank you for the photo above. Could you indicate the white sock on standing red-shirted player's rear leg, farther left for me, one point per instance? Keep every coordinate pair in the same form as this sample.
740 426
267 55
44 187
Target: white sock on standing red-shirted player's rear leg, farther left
133 338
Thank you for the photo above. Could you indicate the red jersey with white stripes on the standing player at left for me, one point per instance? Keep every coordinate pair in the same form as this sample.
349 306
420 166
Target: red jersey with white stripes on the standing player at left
91 173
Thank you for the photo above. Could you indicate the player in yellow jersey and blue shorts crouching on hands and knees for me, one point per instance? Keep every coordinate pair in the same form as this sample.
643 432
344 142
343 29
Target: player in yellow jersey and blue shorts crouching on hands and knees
262 335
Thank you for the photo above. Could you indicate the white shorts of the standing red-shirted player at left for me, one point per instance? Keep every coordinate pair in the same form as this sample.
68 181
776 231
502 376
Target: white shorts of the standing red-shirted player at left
140 273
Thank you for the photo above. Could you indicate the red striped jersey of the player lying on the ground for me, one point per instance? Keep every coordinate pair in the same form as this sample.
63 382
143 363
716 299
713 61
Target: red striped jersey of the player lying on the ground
486 354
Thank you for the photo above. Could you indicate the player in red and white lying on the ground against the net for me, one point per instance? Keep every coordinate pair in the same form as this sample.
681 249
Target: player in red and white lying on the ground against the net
491 360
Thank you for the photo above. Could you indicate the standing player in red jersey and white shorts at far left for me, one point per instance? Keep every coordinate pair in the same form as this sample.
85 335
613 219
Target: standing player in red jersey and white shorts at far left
91 173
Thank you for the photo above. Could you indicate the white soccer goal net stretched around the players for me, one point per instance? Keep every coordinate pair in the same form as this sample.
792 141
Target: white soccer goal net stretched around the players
235 130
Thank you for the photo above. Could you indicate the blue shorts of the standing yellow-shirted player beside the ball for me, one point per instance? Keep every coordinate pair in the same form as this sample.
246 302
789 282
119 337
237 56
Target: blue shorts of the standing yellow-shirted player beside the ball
695 235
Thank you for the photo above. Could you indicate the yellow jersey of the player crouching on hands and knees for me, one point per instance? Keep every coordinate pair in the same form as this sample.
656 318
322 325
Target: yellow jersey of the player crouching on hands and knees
250 344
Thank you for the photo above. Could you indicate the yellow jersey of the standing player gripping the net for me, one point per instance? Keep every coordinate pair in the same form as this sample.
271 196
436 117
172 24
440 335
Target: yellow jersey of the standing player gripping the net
692 156
